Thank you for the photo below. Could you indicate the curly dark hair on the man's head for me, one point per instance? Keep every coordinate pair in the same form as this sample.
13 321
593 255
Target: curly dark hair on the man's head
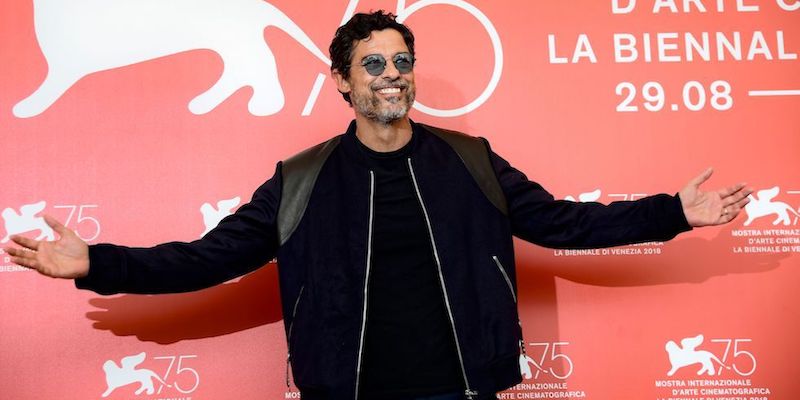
358 28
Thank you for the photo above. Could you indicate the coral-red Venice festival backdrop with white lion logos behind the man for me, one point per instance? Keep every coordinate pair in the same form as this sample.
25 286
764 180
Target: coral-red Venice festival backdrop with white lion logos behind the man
143 121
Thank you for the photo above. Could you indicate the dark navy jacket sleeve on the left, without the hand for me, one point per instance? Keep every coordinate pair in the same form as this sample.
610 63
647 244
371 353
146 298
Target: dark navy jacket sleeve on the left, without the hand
241 243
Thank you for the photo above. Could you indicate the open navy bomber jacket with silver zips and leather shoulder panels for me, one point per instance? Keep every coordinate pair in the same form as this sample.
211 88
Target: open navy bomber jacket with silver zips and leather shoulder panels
323 253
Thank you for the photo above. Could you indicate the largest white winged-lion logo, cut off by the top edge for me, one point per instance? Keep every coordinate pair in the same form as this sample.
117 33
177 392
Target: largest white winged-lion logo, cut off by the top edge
81 37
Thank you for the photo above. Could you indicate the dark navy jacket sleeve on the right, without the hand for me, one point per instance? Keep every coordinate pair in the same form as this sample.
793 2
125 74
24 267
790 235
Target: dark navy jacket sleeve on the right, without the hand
539 218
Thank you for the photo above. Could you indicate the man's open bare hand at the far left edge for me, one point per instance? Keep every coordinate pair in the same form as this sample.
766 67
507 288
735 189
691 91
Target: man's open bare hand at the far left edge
67 257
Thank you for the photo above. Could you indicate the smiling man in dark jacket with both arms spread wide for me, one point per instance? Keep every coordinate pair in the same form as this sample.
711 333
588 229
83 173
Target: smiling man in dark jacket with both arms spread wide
394 242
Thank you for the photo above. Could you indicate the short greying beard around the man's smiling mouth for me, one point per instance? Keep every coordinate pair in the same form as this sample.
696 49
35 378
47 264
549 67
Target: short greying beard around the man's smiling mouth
385 111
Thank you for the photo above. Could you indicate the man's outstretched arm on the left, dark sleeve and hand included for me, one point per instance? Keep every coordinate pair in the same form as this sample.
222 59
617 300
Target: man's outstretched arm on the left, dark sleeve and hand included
240 243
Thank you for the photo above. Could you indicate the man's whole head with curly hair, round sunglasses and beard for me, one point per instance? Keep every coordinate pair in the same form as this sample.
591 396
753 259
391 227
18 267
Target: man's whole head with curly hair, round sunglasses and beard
372 57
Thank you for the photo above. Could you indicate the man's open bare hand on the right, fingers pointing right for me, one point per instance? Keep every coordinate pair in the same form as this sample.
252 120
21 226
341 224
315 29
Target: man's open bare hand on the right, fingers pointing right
715 207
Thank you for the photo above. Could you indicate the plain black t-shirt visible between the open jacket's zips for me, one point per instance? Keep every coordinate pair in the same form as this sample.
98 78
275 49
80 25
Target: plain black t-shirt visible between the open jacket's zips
409 347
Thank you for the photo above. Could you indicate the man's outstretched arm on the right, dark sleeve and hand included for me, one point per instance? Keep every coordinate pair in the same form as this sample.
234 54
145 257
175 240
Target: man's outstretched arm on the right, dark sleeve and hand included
539 218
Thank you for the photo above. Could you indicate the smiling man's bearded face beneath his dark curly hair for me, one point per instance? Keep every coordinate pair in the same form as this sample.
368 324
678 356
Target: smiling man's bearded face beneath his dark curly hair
384 98
